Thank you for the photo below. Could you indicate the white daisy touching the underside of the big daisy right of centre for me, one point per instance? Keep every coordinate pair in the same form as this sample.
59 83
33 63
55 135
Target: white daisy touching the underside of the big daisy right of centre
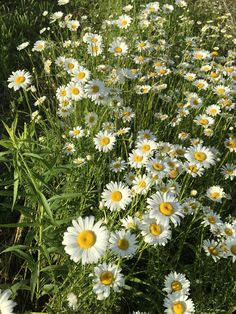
154 231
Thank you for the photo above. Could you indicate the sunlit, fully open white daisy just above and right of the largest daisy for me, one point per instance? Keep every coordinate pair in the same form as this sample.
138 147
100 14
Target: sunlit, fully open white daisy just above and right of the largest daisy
116 196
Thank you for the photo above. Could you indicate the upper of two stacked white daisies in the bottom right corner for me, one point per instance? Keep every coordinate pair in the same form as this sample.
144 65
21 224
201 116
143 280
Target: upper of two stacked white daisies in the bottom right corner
176 283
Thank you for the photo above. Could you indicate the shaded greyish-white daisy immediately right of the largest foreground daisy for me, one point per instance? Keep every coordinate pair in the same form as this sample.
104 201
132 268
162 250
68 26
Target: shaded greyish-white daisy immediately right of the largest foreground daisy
123 243
